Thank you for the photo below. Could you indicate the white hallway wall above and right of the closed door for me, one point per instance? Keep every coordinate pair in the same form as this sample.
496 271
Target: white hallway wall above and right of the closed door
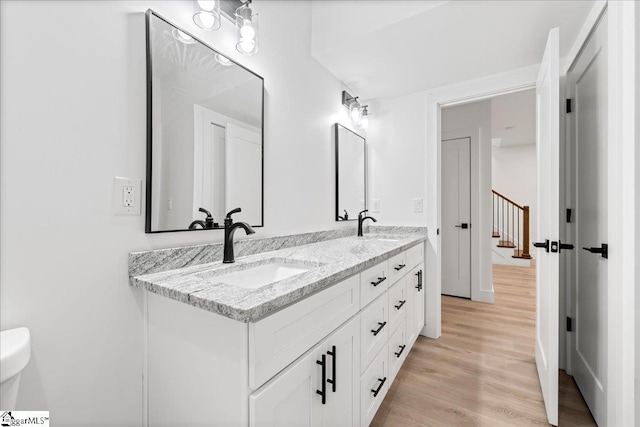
474 120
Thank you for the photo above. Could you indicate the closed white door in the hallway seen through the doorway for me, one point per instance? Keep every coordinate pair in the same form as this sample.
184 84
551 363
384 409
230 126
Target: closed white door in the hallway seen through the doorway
456 216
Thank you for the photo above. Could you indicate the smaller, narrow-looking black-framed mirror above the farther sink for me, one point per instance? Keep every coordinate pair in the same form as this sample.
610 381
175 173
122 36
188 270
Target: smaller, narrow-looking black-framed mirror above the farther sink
350 174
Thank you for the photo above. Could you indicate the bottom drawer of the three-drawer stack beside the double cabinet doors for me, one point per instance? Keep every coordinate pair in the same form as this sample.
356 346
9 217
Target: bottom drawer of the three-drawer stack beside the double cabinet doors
373 386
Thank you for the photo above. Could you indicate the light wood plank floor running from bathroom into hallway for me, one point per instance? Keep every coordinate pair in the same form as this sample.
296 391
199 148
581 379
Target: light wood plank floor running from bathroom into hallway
482 371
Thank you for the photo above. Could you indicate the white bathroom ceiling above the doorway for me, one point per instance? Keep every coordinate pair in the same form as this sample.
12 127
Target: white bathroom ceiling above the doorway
382 48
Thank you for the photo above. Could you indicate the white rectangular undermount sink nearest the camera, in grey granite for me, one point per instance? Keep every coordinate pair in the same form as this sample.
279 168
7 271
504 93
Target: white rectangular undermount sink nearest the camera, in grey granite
261 275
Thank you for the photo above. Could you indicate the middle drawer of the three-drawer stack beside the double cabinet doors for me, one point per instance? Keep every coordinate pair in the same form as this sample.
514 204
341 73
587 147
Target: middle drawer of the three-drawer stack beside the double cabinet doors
374 329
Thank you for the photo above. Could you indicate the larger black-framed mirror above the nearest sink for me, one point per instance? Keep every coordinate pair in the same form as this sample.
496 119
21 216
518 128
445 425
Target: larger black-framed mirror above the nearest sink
205 134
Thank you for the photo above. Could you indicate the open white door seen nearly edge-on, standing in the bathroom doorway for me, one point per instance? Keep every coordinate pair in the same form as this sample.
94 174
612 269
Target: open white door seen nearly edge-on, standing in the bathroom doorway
547 264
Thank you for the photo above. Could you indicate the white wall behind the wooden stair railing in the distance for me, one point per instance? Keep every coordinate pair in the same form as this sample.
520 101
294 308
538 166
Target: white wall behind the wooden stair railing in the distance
513 174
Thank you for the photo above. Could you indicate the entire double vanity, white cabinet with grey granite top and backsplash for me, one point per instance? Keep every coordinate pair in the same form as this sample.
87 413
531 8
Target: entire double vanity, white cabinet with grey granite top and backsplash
312 333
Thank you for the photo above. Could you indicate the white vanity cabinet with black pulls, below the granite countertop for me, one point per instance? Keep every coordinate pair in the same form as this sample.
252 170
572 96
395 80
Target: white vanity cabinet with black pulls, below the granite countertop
326 360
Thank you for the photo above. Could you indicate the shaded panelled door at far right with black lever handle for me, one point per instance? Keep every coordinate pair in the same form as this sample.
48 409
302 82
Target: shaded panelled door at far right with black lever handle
588 87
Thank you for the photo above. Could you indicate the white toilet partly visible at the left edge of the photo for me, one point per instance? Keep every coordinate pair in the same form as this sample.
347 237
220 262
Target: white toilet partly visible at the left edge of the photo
15 351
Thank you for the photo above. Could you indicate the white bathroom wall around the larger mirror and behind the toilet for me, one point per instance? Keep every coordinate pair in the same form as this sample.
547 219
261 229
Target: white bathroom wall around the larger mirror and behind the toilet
73 117
